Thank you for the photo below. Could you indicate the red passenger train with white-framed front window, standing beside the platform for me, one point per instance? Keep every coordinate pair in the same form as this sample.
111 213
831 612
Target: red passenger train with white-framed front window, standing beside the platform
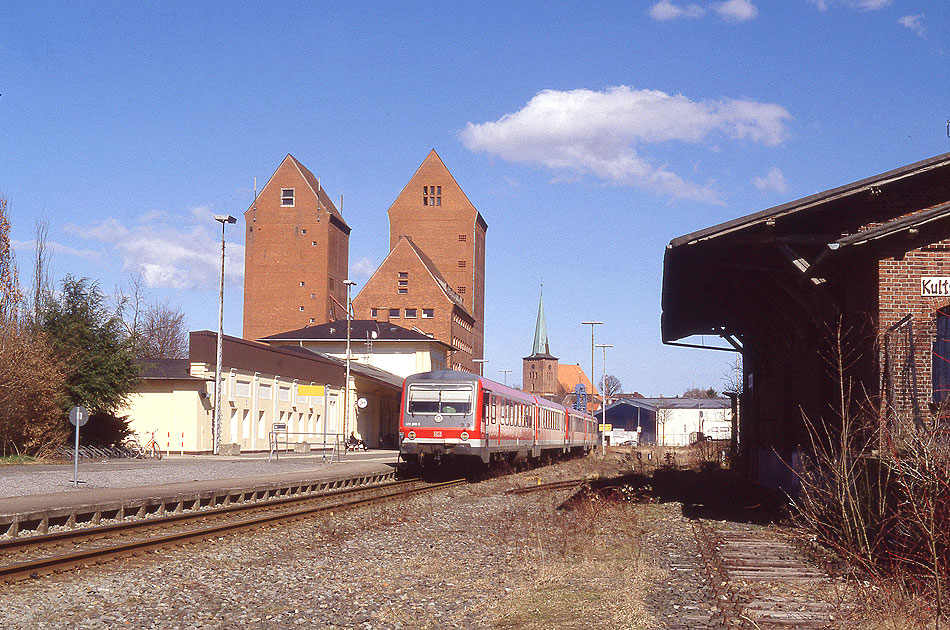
450 415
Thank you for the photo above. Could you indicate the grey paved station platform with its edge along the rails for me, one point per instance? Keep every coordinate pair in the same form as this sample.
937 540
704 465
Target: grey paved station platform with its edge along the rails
37 497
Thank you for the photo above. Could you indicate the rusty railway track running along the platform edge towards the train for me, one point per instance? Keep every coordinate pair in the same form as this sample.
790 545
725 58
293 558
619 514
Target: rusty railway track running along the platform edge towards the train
33 556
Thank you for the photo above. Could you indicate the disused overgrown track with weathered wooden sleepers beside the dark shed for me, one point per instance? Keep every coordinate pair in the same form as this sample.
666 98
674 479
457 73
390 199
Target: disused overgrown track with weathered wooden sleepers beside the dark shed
761 582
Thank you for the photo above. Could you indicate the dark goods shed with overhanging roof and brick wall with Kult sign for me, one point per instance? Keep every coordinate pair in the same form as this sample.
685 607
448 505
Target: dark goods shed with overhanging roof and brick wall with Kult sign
841 295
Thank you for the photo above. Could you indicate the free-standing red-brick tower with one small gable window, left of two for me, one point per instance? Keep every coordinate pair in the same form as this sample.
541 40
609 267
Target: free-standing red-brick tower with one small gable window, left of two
296 255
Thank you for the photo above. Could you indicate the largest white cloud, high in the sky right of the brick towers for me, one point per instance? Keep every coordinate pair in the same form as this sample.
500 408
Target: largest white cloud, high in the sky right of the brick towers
602 133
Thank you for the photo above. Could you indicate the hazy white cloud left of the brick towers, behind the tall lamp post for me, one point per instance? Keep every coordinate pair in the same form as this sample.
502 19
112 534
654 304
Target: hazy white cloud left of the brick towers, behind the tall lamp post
177 253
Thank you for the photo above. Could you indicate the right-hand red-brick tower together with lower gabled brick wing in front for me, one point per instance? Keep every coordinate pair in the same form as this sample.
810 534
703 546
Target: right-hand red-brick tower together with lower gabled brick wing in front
433 279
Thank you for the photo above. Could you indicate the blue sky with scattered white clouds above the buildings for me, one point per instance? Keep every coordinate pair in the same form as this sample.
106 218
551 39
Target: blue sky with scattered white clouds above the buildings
587 135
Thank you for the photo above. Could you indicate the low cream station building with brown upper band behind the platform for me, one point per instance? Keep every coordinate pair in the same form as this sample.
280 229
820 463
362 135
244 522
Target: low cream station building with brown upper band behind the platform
260 388
